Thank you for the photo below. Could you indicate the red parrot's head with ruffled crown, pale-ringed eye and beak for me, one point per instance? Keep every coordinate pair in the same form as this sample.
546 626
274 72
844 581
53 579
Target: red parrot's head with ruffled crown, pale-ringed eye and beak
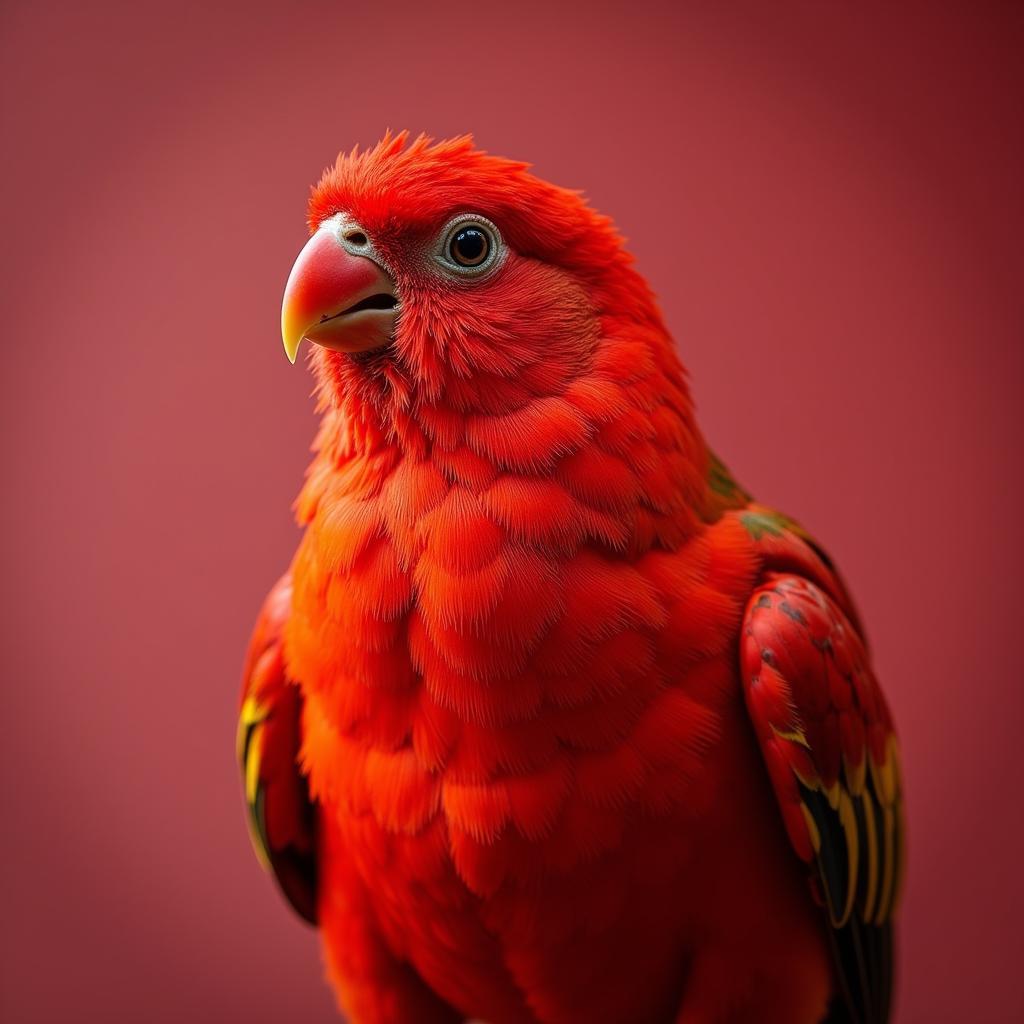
439 271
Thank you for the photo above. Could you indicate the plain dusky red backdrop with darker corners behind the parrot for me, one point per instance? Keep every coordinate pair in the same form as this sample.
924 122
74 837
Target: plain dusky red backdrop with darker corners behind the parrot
827 197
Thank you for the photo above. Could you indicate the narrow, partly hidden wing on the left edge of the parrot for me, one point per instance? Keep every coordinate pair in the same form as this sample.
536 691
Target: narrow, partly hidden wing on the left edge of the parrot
282 822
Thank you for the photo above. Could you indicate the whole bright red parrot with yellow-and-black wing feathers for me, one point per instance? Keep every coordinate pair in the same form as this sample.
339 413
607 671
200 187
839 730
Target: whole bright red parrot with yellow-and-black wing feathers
549 720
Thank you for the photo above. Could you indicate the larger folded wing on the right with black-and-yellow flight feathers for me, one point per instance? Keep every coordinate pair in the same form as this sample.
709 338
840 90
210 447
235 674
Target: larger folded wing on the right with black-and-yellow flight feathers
828 741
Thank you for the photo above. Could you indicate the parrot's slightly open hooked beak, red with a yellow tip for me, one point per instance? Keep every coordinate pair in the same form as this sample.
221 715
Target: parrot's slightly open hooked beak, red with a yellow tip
336 297
